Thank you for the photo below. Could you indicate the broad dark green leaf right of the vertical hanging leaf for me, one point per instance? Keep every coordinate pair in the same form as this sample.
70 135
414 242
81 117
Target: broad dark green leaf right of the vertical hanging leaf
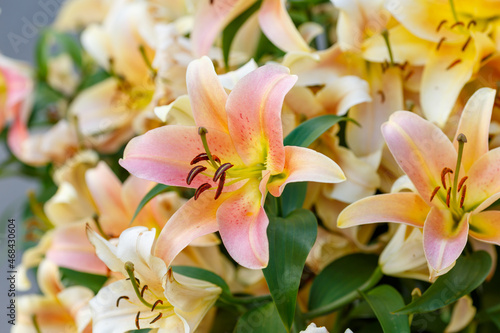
338 284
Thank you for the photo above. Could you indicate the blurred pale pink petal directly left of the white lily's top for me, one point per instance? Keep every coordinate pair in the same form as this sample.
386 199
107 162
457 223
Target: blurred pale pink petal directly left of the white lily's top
70 248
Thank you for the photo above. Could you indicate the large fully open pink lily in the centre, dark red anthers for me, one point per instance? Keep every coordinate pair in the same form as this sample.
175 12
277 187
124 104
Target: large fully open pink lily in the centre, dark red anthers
233 165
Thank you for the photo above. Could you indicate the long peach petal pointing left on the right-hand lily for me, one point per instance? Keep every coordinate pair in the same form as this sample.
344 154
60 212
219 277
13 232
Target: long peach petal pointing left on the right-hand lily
407 208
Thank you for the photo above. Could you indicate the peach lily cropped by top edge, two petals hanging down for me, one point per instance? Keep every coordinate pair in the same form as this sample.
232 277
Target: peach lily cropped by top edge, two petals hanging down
212 16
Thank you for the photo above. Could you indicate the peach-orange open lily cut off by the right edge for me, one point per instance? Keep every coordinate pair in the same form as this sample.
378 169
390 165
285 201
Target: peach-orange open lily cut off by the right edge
455 183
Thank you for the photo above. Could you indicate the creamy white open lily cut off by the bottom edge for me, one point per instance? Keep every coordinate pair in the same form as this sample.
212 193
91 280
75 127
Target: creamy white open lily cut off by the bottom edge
151 296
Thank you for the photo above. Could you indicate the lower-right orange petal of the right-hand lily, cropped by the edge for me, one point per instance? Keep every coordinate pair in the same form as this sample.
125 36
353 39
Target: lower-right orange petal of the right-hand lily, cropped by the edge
485 226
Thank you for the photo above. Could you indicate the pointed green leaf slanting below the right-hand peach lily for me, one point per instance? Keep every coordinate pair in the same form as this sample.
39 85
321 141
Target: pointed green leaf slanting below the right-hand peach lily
468 274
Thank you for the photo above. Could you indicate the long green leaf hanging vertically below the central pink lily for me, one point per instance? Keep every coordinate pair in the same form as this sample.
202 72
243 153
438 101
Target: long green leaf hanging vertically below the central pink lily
290 240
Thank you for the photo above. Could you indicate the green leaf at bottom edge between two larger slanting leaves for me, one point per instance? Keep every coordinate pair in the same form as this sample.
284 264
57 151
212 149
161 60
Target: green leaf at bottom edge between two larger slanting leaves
384 300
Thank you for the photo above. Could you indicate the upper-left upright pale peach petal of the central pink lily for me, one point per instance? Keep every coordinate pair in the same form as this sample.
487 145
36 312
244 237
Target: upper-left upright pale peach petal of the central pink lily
207 96
